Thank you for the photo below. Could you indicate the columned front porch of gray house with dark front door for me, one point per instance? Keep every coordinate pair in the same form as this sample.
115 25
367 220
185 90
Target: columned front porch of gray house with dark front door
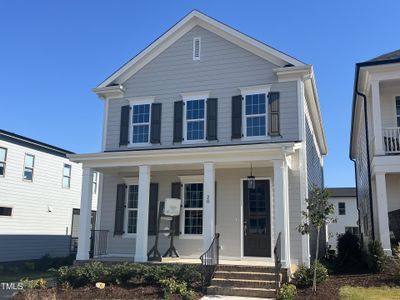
213 188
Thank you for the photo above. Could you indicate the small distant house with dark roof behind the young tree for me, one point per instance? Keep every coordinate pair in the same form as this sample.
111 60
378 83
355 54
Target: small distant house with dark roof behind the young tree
346 214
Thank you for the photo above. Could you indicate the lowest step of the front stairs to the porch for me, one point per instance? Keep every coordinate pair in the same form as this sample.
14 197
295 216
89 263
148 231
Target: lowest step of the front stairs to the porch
241 291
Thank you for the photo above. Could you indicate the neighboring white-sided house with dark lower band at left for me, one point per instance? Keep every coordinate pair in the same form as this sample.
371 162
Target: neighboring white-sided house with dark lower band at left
39 189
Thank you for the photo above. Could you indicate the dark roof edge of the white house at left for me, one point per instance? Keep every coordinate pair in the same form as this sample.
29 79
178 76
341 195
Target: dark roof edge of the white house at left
33 144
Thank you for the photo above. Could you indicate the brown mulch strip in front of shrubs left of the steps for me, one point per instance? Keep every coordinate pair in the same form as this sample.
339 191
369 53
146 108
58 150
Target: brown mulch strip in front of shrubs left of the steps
110 292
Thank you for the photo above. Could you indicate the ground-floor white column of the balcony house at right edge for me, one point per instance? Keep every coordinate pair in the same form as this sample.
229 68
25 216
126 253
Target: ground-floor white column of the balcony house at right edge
383 218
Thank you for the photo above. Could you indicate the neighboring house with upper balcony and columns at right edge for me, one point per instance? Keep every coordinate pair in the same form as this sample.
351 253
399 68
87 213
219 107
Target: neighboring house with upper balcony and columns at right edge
375 147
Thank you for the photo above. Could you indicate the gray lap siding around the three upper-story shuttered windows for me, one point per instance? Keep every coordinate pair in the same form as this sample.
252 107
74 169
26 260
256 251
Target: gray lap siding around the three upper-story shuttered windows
222 70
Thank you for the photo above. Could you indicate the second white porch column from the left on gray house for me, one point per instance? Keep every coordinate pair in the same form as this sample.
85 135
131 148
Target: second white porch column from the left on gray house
143 214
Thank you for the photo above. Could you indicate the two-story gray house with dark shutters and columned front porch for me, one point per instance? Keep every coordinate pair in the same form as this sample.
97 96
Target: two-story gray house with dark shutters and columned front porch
196 115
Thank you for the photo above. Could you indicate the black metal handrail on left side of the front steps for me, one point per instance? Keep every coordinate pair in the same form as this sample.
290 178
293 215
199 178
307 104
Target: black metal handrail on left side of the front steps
210 261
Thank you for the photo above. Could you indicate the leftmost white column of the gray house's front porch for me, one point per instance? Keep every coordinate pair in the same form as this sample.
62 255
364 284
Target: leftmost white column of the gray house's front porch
85 215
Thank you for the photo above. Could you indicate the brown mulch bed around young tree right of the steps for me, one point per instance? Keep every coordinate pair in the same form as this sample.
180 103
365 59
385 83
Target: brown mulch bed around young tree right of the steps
329 290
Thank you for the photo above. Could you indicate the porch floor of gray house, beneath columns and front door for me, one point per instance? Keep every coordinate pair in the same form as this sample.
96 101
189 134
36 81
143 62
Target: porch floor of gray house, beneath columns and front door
229 262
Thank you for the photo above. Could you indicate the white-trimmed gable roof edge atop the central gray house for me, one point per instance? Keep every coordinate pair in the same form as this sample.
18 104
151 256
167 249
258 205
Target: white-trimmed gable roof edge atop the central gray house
196 18
